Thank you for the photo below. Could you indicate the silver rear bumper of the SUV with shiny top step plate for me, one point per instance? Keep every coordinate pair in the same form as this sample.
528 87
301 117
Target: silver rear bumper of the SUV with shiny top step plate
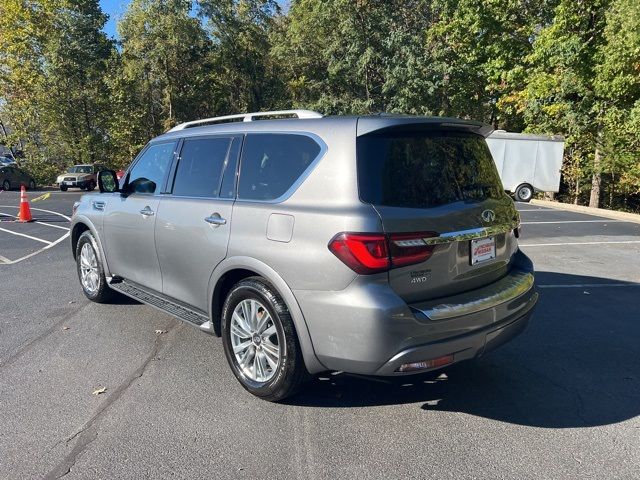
368 329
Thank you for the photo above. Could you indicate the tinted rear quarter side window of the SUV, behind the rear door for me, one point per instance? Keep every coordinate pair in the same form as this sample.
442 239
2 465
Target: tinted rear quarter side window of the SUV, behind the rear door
271 163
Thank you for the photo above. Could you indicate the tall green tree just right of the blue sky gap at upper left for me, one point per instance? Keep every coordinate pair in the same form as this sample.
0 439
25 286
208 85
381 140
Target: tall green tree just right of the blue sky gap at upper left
160 77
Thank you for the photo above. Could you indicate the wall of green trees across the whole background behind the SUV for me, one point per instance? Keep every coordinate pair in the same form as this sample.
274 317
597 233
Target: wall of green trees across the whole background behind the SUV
69 94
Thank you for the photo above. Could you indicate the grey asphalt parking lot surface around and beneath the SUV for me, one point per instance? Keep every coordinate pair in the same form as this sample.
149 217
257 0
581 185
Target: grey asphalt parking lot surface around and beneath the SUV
560 401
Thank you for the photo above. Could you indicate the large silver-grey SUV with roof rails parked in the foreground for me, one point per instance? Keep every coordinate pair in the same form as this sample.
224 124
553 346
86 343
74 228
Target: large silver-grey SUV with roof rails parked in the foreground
377 245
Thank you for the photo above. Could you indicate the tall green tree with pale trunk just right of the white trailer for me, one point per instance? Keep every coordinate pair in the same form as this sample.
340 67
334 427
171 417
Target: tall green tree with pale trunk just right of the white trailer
560 97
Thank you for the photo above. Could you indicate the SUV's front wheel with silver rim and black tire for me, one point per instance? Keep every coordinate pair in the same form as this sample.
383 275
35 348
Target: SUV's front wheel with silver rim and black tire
90 270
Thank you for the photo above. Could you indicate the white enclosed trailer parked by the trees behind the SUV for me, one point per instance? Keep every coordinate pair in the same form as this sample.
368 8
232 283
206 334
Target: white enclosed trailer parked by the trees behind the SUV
527 163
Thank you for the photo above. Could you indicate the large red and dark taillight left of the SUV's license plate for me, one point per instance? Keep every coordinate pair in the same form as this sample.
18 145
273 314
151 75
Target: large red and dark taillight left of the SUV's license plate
367 253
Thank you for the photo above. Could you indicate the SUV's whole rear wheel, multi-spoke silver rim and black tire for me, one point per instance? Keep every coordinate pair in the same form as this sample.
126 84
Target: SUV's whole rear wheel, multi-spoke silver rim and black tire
260 341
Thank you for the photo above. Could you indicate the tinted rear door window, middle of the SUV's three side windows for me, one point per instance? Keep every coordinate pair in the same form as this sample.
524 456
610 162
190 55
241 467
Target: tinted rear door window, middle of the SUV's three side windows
200 167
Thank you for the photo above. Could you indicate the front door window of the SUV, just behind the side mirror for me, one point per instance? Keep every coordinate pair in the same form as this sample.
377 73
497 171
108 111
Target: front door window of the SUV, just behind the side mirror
148 173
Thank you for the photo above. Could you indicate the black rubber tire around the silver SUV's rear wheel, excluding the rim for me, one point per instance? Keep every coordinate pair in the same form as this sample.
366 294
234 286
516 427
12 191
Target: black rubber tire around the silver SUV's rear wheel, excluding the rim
291 372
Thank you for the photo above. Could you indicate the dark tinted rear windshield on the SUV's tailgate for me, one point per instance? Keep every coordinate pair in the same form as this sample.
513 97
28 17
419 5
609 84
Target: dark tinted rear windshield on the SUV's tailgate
425 169
